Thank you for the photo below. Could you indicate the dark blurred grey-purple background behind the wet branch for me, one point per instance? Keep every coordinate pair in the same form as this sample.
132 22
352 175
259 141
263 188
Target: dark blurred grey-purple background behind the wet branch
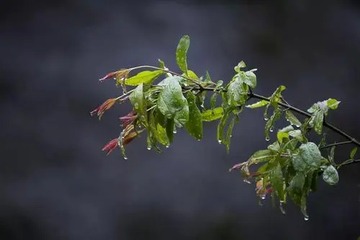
57 184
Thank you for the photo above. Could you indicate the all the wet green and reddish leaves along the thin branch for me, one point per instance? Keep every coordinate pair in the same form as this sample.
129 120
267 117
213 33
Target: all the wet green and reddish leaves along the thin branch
288 168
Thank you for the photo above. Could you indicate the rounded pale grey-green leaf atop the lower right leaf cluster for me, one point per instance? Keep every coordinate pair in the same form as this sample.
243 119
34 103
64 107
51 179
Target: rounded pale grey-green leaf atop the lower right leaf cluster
310 153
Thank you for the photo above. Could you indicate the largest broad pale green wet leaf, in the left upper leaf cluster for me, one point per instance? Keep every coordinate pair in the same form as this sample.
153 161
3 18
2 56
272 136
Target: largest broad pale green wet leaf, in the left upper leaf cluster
171 102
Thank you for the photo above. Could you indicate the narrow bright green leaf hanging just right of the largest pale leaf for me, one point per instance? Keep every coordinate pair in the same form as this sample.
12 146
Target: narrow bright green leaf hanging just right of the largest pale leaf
194 126
